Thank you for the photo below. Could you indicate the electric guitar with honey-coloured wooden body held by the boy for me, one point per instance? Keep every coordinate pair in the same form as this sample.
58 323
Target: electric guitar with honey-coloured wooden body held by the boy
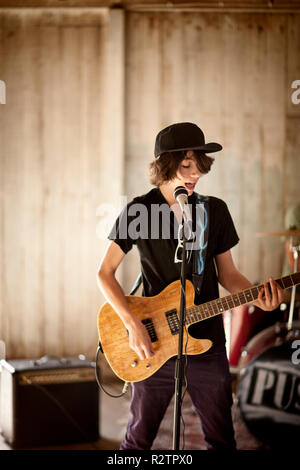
160 315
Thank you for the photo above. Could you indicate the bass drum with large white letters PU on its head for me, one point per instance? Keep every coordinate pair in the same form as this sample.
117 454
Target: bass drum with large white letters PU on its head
269 386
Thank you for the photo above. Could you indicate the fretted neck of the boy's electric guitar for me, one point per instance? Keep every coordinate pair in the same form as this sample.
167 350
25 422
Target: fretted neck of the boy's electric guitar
221 305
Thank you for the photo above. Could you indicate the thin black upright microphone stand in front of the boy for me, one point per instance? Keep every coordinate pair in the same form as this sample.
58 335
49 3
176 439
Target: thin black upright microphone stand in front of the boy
179 367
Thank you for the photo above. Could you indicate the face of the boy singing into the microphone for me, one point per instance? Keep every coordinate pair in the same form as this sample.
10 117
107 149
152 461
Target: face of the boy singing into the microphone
188 173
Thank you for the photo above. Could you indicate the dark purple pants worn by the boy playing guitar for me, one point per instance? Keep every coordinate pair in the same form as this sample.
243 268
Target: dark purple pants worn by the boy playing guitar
209 386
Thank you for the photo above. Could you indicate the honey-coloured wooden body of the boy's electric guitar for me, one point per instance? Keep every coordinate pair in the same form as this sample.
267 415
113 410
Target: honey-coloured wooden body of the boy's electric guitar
151 310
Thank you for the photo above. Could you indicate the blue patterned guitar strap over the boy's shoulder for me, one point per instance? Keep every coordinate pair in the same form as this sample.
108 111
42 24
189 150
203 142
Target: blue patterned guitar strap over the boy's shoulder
200 250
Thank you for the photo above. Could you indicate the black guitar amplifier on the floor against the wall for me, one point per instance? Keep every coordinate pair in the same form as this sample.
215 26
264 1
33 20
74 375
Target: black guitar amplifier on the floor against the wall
49 401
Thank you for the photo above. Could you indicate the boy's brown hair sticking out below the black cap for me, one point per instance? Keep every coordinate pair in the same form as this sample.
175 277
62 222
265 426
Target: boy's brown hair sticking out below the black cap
164 167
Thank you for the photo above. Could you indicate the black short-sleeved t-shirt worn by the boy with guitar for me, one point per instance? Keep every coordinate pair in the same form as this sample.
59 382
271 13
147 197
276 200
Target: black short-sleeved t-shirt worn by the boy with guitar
156 240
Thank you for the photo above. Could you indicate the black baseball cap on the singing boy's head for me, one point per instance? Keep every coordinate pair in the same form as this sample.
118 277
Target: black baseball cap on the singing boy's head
183 136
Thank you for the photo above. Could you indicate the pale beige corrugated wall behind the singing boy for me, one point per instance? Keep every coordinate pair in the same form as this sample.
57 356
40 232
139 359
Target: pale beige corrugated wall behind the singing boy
74 98
